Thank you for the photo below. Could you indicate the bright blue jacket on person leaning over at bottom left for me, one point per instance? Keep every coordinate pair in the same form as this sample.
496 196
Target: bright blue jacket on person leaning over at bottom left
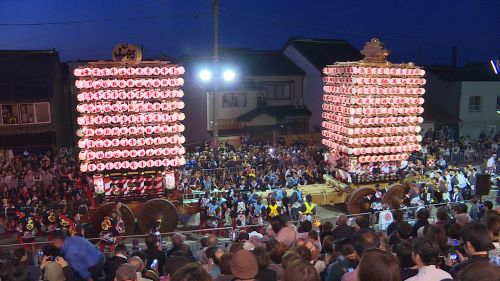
81 255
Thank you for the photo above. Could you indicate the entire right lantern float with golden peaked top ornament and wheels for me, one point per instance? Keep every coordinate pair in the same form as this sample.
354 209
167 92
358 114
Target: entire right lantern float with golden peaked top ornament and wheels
372 114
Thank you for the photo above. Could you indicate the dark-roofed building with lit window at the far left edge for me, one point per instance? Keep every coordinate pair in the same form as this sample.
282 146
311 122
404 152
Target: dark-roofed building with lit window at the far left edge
34 102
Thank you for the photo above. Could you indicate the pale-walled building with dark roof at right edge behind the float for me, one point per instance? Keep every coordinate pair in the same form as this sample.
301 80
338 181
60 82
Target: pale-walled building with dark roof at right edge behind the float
470 94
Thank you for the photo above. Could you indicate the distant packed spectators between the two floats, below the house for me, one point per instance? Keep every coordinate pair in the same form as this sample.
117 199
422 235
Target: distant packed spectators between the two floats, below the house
227 164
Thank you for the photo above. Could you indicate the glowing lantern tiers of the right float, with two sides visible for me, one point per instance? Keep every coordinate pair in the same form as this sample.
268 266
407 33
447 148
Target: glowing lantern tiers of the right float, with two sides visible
372 113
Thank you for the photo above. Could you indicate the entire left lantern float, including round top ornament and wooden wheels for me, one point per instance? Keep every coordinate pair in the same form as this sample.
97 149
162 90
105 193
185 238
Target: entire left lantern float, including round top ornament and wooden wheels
130 135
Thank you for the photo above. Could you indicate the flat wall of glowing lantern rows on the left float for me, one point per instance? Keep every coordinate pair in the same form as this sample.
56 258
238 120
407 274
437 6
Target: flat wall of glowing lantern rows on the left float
127 116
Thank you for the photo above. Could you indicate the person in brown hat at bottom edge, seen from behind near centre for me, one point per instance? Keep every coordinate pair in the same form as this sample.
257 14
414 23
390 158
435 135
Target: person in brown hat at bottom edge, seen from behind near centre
244 266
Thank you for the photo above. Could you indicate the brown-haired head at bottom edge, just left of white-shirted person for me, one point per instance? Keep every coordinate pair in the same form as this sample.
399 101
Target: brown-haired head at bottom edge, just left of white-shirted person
378 265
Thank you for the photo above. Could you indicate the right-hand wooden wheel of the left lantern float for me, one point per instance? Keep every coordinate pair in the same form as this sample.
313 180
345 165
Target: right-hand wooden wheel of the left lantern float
160 211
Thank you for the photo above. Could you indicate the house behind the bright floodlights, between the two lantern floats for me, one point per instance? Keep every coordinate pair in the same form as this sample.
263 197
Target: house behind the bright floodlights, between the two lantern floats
264 101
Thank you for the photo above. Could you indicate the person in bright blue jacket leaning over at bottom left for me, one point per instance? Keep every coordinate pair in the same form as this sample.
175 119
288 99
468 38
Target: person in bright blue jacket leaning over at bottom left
85 259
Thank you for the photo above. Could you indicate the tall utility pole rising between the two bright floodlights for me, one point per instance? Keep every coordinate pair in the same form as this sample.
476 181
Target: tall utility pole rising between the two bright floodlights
215 95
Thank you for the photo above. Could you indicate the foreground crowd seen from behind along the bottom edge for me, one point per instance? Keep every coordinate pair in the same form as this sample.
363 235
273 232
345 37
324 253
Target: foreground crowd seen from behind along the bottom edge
448 248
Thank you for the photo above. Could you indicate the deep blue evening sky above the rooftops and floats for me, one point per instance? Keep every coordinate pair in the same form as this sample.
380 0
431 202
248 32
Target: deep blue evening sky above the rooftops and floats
422 31
